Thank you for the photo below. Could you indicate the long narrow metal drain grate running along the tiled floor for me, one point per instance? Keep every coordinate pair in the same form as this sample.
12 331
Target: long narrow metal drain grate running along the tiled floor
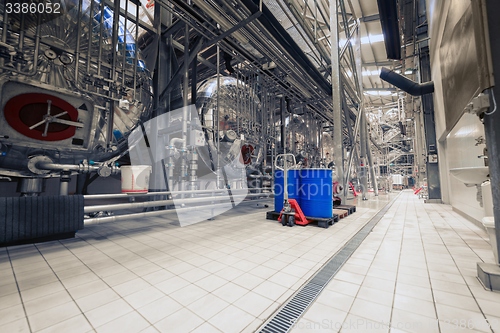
283 320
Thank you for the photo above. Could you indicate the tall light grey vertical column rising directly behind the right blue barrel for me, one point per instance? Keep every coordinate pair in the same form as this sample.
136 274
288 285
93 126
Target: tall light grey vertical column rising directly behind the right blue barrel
337 102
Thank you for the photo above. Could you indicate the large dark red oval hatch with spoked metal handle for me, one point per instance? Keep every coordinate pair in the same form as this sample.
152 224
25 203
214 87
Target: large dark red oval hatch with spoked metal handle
26 110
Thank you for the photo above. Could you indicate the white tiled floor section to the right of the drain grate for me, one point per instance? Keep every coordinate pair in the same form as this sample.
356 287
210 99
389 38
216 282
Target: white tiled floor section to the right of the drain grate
416 272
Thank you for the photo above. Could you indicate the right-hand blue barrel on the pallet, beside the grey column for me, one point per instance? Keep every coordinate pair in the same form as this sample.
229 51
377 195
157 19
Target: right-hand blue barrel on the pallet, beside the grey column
316 192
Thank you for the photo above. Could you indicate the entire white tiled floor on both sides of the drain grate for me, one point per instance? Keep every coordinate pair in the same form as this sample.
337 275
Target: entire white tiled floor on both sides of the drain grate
416 271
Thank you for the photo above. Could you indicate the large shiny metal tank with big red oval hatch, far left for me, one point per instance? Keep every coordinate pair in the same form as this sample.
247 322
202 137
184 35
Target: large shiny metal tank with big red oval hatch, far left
72 87
